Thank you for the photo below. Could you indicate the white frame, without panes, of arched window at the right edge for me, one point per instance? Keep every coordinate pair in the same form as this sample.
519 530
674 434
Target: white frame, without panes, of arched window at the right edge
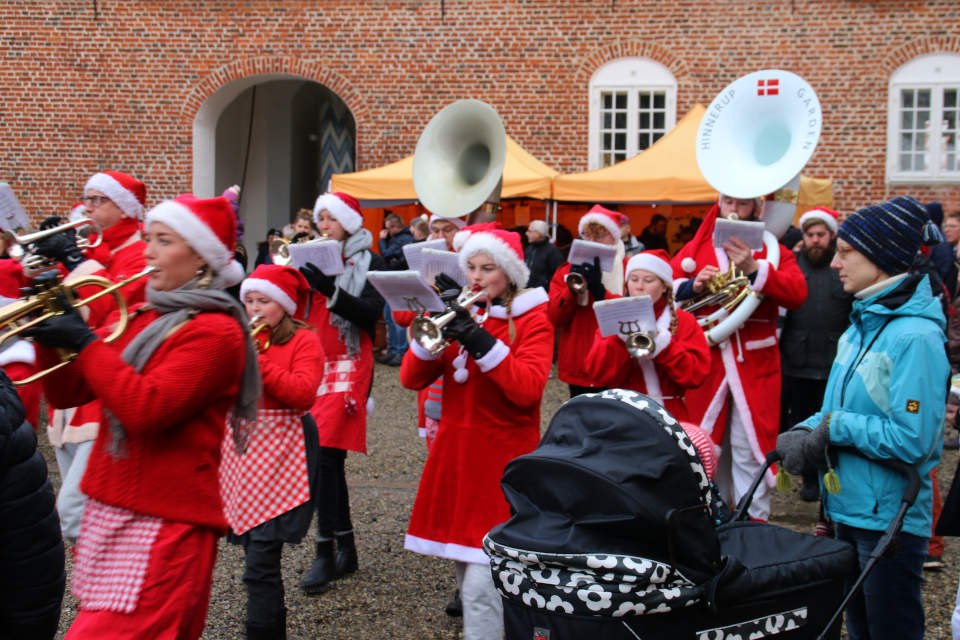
935 72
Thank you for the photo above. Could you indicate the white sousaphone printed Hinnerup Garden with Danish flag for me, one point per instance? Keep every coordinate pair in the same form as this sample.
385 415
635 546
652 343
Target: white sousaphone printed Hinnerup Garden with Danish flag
754 140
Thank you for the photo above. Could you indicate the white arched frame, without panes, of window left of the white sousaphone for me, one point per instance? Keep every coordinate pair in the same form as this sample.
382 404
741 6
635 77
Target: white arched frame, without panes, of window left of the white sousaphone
631 74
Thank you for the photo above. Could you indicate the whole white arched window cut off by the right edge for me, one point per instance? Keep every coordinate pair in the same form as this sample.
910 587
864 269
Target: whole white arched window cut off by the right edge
924 112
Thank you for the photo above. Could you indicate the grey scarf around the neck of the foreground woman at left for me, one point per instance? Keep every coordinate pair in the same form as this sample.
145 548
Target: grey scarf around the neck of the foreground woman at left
177 307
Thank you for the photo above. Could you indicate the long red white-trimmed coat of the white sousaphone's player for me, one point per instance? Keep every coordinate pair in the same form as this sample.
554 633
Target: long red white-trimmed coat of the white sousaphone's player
747 365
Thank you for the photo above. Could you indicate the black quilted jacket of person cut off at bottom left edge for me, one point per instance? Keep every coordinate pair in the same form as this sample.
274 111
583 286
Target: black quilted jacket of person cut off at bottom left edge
32 576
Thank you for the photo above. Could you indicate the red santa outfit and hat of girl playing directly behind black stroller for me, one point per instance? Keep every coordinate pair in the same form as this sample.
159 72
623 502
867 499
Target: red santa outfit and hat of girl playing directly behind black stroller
680 361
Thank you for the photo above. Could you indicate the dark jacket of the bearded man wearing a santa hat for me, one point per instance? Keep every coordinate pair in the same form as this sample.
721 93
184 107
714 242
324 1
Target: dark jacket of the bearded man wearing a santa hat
808 344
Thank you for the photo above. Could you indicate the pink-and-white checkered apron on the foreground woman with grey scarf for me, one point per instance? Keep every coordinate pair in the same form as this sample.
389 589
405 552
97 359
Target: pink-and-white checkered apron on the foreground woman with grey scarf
113 554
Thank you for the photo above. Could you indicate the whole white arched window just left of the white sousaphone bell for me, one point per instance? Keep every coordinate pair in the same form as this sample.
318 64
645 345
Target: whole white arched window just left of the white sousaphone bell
633 103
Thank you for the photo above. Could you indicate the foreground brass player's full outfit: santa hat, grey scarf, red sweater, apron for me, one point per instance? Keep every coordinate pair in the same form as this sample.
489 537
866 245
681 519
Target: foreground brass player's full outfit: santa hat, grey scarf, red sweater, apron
145 556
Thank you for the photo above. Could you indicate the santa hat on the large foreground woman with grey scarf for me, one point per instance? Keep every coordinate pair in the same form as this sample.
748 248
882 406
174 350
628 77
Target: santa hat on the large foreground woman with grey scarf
208 226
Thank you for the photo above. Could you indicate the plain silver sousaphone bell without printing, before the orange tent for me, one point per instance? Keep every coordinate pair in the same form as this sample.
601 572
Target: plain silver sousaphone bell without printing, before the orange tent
458 163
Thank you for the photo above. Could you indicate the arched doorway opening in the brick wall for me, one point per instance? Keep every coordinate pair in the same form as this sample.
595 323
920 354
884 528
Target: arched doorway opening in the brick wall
287 135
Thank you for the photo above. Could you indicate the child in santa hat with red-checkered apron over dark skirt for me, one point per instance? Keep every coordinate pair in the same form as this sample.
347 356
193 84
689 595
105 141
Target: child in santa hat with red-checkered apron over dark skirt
267 491
